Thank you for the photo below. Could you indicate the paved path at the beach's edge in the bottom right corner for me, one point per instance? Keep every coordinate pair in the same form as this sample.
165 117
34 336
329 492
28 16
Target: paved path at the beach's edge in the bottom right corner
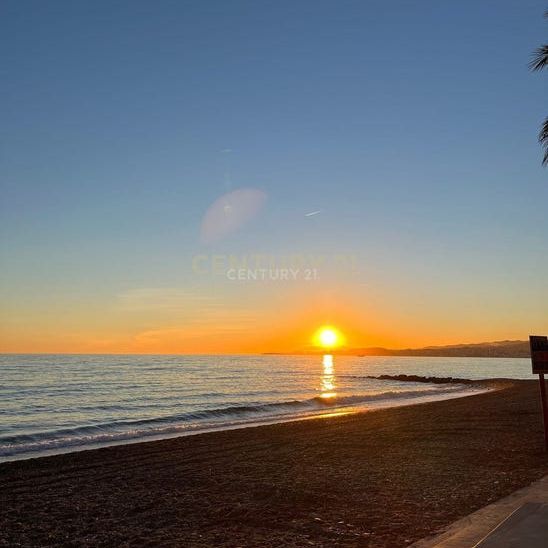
517 521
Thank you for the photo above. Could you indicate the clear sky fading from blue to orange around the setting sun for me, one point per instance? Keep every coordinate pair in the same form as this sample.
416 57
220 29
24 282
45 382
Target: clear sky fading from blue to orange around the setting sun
388 146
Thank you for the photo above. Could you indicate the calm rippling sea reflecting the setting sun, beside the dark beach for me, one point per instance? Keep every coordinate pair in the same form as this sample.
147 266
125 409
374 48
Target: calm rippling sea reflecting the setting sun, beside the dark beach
57 403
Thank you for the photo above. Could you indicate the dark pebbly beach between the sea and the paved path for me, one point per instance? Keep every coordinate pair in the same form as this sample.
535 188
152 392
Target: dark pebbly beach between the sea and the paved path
384 478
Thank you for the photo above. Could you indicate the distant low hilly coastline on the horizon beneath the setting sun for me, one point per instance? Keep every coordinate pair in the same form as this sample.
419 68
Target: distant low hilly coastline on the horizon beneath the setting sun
496 349
